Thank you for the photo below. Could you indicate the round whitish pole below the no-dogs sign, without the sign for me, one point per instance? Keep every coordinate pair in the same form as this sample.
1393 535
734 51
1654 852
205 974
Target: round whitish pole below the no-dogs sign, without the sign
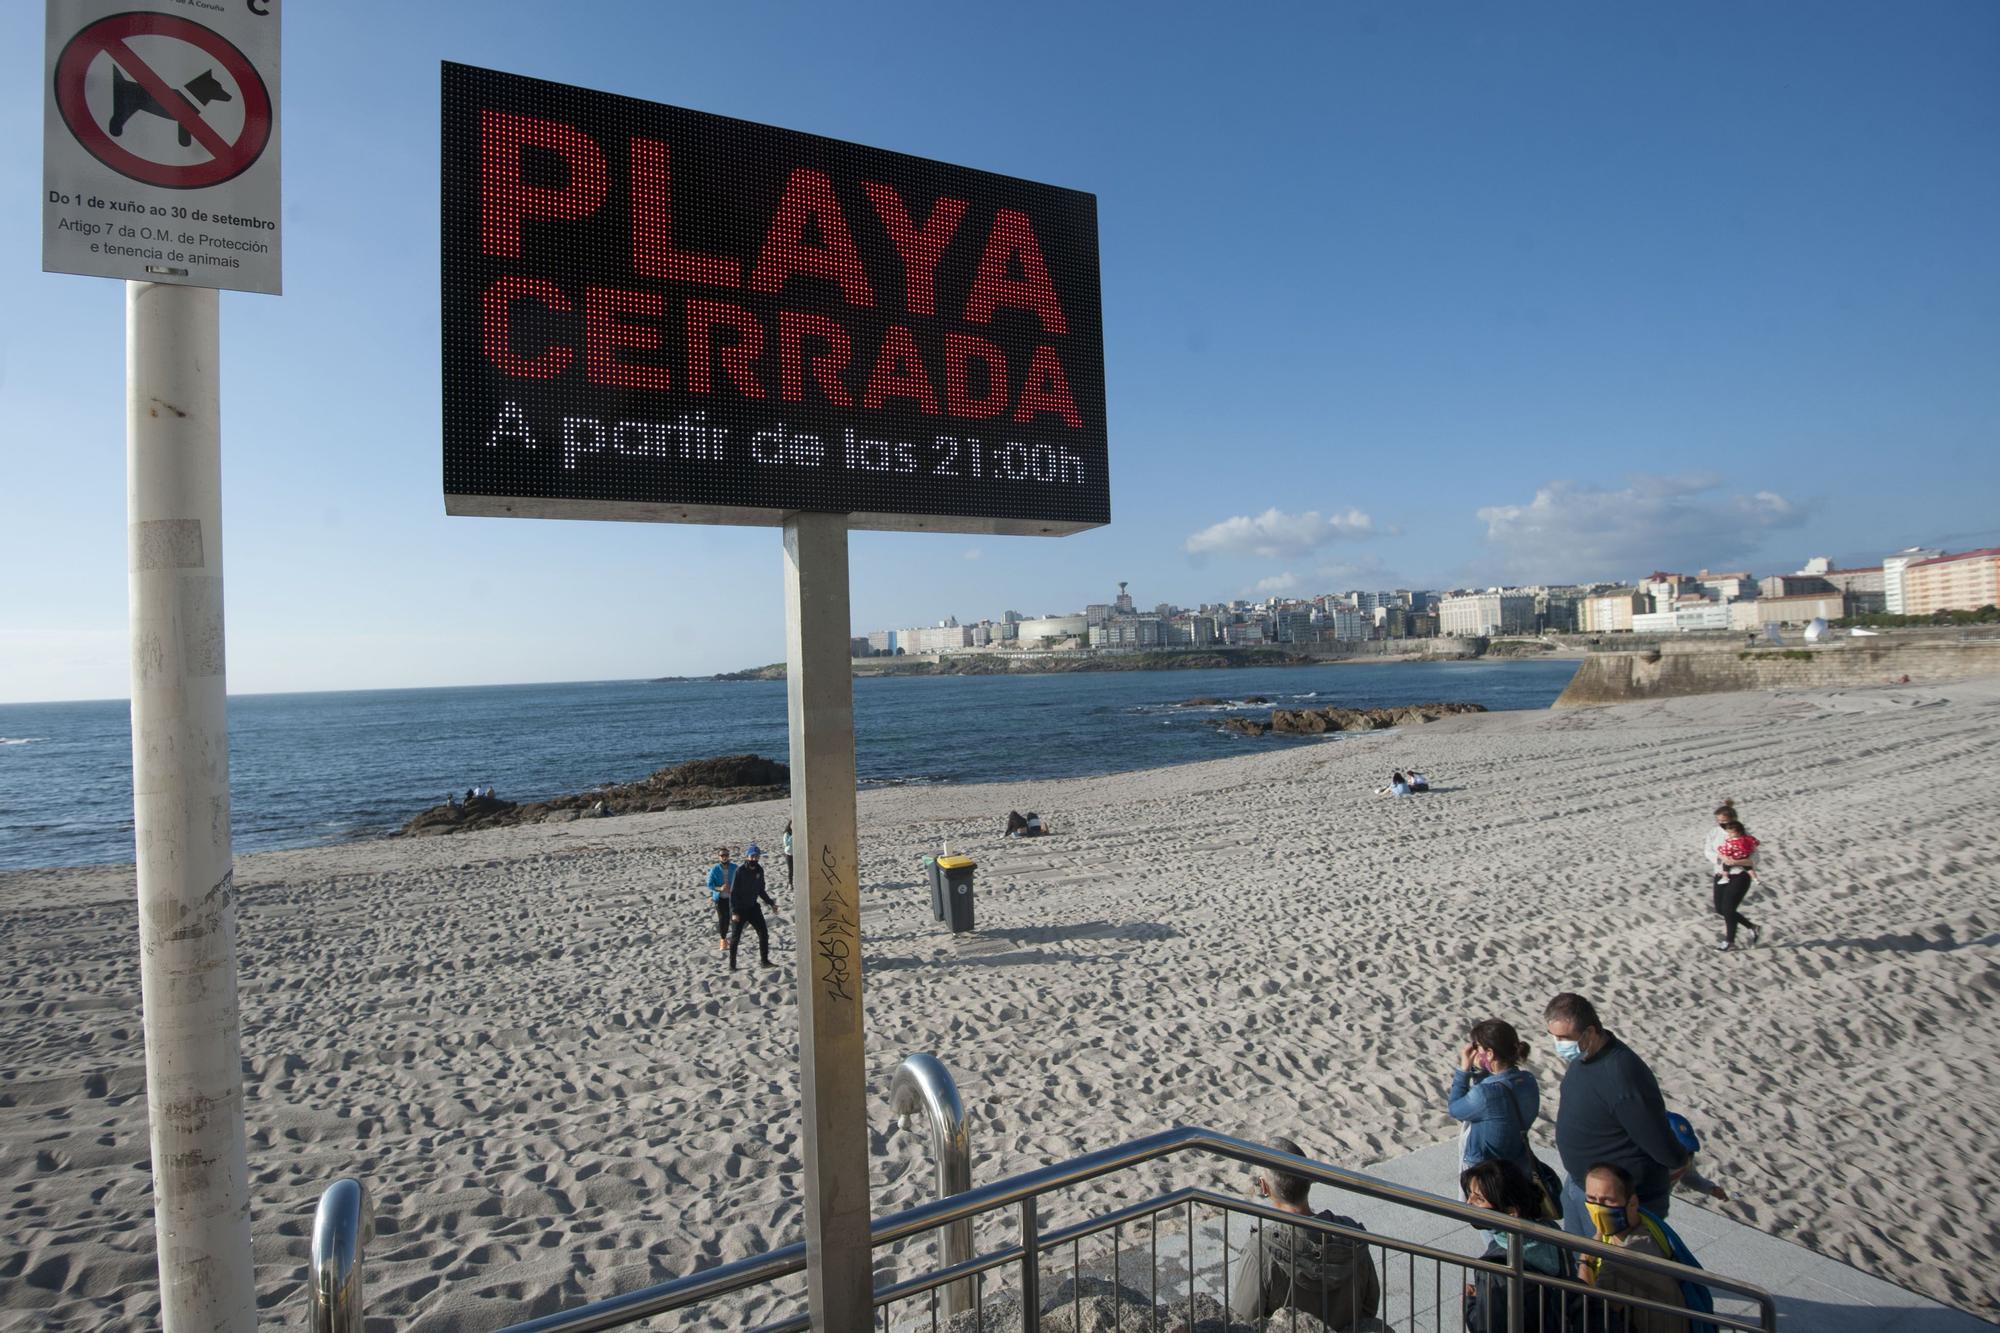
181 810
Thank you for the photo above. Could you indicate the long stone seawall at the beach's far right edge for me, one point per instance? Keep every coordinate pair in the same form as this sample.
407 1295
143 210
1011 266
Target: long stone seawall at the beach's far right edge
1713 668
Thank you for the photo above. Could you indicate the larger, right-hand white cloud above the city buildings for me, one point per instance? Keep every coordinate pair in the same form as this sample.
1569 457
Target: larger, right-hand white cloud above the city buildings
1579 531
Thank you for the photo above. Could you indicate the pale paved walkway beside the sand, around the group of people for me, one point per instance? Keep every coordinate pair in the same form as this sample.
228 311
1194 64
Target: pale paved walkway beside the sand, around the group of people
1815 1294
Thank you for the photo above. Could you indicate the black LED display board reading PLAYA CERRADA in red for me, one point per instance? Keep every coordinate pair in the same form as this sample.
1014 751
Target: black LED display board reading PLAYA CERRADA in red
657 313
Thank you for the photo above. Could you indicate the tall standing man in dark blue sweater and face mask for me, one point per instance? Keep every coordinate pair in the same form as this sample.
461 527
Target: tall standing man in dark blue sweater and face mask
1611 1114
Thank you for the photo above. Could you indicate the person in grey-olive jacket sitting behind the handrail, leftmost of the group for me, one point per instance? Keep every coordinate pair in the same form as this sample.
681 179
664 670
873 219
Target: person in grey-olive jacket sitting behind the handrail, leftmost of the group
1325 1276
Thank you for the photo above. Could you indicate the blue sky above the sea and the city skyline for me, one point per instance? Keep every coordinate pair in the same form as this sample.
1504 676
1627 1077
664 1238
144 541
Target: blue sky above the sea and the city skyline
1395 295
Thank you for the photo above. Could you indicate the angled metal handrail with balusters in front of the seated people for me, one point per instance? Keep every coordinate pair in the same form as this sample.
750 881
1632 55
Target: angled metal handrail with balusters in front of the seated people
1027 1188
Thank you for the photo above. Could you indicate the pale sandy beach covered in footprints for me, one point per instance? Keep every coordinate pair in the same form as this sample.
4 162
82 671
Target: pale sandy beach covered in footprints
529 1048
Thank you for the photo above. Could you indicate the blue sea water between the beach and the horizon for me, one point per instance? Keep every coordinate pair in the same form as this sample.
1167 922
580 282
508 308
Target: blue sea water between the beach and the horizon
309 770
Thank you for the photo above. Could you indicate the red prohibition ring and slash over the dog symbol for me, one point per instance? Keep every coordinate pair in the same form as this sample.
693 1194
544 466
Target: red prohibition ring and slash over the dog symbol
107 37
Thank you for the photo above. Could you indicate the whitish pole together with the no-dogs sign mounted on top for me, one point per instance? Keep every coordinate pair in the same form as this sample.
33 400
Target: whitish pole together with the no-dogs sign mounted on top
161 167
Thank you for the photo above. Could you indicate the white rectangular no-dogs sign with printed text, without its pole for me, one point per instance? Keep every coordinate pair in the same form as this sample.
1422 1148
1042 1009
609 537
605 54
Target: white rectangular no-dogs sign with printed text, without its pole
161 143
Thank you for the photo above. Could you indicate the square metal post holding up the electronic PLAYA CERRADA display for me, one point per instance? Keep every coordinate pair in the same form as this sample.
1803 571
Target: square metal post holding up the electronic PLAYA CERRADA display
829 924
